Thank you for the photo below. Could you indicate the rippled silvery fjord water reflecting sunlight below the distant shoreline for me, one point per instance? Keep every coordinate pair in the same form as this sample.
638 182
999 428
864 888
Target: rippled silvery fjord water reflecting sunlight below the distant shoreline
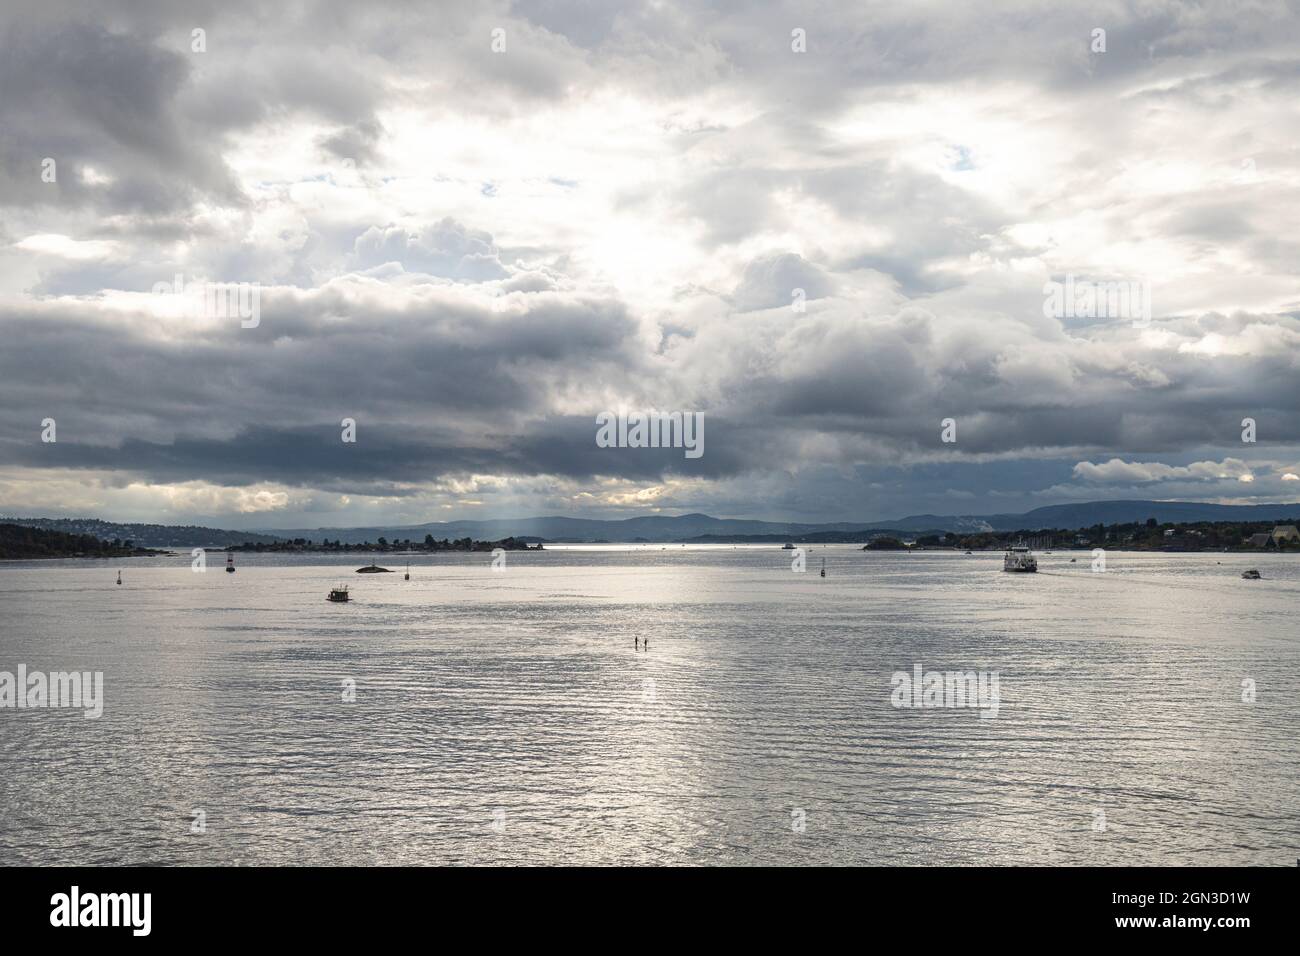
505 716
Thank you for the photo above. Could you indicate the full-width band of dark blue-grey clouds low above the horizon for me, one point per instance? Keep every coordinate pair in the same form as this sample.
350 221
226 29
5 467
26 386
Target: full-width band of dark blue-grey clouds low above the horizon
440 388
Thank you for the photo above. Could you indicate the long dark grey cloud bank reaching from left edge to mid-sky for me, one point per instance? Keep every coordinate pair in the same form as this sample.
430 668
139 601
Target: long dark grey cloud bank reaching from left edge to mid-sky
313 358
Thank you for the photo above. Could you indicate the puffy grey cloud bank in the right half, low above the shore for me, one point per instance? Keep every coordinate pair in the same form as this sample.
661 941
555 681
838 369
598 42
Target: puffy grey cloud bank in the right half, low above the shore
885 387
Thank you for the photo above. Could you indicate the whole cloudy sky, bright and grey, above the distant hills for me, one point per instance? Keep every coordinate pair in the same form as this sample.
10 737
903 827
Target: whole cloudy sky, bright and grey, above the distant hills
473 252
